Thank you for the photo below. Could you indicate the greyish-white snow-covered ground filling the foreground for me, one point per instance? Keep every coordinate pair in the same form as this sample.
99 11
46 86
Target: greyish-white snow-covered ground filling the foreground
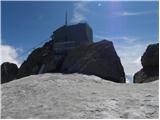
77 96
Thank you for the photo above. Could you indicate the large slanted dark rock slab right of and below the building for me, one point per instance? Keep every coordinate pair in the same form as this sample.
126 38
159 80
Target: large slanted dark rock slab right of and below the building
98 59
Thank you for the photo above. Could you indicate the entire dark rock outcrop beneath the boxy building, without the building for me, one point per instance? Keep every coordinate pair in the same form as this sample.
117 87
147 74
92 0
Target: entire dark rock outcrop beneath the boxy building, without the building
98 59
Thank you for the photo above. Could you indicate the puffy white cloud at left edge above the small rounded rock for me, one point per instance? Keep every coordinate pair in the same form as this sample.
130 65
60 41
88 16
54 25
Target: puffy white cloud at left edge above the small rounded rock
10 54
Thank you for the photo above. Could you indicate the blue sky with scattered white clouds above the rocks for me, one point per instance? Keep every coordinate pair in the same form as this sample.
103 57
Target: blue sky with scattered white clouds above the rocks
130 25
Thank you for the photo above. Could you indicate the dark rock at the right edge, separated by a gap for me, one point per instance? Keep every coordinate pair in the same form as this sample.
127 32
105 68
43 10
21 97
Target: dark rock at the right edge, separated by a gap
150 63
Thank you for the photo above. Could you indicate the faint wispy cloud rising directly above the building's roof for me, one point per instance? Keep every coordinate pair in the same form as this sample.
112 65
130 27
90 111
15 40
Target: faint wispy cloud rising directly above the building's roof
79 13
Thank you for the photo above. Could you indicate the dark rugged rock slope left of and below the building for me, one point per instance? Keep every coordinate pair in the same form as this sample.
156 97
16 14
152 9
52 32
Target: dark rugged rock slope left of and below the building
41 60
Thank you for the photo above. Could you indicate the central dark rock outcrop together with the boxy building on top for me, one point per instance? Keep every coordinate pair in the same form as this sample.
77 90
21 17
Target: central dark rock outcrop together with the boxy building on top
71 50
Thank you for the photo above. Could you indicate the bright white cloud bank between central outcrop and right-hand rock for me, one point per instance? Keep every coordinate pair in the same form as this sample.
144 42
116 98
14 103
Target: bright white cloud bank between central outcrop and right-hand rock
130 56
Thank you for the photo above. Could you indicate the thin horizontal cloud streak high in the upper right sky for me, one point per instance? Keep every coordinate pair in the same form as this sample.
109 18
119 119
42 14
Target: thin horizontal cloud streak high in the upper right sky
125 13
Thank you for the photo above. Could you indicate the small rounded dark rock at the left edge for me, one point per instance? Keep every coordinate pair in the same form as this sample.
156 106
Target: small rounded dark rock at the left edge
8 72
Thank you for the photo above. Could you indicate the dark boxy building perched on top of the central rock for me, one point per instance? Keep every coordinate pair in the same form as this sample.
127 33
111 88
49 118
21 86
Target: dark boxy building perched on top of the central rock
70 36
